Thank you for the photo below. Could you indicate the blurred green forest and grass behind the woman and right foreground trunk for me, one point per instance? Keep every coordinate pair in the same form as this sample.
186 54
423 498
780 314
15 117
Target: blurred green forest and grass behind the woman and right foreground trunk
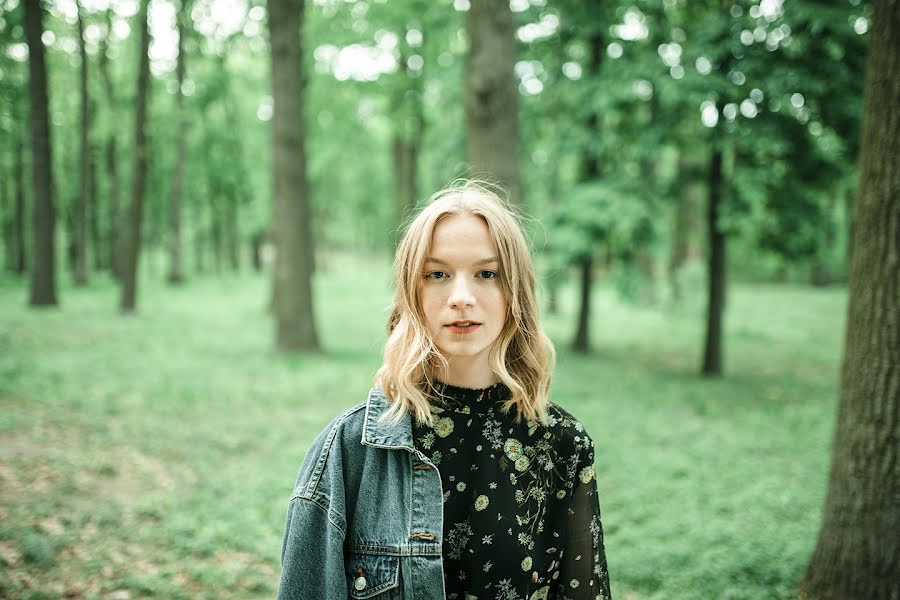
203 197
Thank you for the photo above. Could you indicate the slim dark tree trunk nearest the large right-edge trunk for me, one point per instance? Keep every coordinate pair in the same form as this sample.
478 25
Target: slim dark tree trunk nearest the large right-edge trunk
712 355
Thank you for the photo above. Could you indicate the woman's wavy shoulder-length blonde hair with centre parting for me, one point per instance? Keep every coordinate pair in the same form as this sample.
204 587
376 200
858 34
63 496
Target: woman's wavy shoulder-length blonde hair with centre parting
522 357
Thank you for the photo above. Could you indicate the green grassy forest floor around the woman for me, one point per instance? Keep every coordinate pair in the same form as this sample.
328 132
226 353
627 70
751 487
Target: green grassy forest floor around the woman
153 456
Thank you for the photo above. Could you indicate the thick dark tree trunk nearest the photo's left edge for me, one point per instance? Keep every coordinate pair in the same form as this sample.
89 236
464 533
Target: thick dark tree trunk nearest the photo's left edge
43 216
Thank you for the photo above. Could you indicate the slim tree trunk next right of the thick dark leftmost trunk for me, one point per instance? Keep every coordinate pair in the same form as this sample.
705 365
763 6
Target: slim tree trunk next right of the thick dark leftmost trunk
79 215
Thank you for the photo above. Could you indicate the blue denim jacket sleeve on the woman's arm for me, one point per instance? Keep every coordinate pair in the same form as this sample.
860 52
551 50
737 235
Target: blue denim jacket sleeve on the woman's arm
312 555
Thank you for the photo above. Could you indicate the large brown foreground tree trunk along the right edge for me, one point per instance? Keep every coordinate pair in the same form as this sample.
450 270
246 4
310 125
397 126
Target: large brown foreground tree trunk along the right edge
857 555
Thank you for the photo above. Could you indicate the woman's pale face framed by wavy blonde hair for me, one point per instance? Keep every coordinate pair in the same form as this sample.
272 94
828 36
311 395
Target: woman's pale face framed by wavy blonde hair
460 294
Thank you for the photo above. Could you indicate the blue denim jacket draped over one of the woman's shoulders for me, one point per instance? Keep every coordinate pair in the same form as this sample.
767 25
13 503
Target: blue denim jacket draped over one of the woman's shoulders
365 517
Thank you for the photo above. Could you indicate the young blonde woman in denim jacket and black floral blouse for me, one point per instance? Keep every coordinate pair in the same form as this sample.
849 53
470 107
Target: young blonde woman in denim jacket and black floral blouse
457 478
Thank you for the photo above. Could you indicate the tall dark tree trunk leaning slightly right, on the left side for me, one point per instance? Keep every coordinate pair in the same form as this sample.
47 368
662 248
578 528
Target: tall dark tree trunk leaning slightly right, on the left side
139 172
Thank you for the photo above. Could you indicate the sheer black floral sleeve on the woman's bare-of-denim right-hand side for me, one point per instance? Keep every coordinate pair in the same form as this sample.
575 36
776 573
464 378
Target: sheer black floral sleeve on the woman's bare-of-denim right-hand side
583 574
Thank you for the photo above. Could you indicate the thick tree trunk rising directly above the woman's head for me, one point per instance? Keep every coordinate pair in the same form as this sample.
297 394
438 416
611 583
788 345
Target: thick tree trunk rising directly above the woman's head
492 95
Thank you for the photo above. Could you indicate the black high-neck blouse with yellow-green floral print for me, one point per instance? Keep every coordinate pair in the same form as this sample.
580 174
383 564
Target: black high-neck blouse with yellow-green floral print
521 515
